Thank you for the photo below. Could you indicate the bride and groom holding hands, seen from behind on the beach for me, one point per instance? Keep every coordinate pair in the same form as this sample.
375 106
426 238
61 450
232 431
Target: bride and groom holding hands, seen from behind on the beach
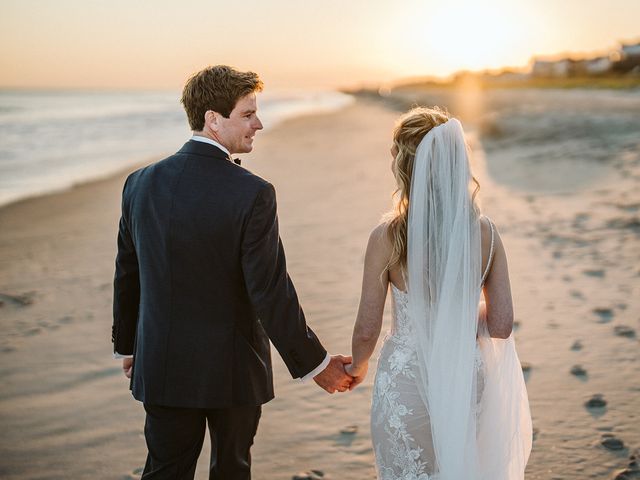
201 287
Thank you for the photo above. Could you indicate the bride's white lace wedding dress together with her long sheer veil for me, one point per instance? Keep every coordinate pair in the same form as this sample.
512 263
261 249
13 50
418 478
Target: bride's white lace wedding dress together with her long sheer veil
449 402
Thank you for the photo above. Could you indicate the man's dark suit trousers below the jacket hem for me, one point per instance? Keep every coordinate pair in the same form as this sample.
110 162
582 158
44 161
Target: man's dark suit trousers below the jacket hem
175 436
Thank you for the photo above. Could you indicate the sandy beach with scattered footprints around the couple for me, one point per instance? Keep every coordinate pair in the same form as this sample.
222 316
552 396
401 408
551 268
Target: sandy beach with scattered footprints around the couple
570 224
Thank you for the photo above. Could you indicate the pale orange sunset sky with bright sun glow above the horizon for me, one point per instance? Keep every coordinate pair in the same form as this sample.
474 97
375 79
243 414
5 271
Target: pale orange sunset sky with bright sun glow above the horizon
142 44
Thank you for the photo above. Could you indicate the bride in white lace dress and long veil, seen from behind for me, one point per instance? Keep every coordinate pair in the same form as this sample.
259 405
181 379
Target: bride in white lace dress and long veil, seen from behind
449 399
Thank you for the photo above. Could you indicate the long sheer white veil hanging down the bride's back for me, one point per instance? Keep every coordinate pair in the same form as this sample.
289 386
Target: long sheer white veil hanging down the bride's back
444 285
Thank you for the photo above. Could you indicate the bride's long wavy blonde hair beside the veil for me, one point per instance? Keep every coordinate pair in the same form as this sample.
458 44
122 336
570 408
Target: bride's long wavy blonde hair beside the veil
410 129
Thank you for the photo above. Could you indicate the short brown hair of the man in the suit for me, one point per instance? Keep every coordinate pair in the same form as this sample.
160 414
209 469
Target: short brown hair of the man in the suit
216 88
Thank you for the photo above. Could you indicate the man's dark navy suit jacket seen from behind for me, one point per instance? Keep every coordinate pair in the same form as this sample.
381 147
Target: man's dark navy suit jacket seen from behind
201 285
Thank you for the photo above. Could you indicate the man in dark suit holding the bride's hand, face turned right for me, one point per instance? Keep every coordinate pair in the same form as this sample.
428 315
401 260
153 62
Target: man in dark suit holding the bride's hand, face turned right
201 286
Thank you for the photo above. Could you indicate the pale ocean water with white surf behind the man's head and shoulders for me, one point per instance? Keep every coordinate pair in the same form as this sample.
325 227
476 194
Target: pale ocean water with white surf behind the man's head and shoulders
52 140
